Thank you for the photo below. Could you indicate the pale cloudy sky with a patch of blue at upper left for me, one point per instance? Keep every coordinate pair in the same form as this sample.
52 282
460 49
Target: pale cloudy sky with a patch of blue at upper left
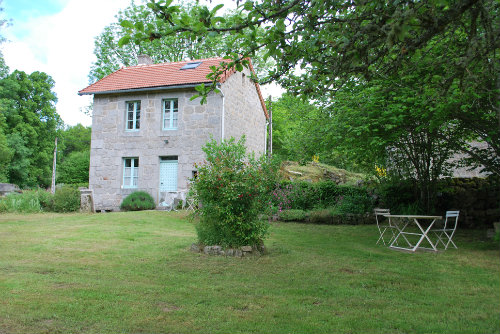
57 37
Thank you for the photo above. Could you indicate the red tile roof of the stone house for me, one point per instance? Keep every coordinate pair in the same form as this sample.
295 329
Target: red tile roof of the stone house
160 76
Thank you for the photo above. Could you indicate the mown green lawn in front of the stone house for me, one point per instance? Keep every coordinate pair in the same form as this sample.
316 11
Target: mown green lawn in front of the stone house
133 272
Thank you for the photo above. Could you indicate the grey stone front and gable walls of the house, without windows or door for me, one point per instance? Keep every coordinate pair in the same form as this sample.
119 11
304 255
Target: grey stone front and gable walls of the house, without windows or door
111 142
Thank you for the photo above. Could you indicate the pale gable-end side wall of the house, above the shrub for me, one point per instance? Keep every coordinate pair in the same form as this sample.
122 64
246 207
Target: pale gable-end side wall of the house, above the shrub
243 111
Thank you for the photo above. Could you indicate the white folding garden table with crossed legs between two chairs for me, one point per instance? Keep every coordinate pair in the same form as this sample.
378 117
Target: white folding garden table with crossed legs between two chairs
402 224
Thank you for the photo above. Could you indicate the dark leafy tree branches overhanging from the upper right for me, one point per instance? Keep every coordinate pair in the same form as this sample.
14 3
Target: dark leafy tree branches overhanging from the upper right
338 43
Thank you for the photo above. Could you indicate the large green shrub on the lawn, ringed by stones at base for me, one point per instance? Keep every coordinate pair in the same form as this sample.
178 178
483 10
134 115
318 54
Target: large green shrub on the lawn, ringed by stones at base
232 189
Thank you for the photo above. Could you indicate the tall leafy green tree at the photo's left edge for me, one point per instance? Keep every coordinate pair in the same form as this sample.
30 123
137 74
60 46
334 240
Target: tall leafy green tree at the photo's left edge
27 103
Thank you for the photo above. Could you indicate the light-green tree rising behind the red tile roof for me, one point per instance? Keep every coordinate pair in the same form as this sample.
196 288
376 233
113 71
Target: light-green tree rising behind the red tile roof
110 57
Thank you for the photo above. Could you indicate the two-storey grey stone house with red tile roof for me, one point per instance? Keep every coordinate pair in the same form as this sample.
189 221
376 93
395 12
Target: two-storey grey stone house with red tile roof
147 133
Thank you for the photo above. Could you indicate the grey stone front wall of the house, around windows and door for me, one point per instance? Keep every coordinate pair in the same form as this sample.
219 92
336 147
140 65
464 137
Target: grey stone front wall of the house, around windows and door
111 142
